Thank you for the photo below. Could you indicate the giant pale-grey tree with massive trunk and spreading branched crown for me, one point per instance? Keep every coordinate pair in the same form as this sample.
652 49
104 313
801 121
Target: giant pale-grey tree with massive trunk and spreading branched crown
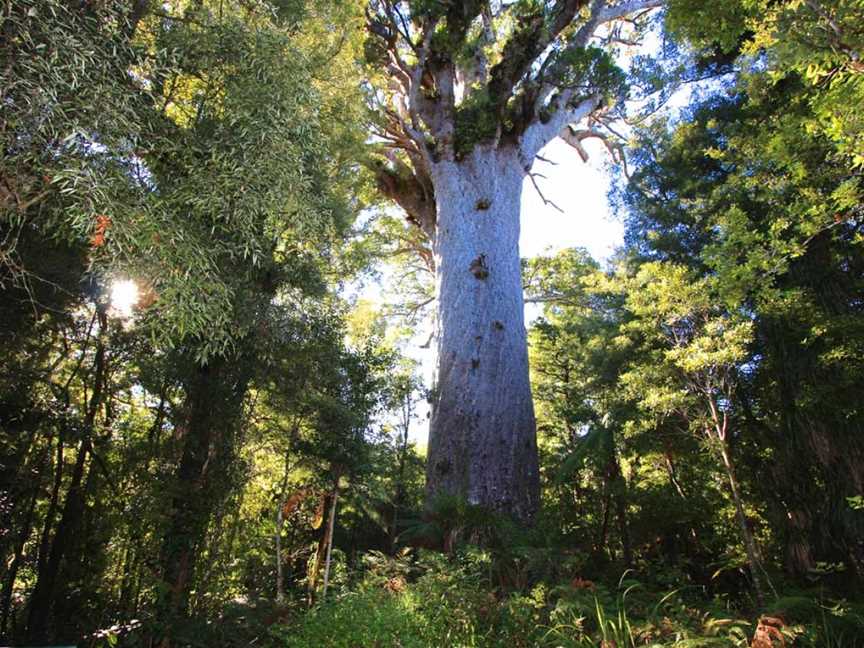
475 91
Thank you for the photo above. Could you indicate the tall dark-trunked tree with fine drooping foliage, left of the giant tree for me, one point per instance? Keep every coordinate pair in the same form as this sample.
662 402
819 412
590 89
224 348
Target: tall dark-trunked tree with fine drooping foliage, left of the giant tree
275 188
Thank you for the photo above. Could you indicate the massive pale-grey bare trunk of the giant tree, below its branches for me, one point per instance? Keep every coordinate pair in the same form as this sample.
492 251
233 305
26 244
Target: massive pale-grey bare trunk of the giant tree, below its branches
482 441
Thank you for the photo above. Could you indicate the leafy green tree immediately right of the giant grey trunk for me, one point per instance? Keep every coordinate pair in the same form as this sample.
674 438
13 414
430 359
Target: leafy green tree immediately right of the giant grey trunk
575 365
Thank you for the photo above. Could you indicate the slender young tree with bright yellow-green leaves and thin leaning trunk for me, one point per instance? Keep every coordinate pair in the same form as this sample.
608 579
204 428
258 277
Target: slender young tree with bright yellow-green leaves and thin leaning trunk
691 372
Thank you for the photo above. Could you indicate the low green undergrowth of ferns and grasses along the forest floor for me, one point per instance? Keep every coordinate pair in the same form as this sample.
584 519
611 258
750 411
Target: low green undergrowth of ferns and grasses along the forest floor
433 600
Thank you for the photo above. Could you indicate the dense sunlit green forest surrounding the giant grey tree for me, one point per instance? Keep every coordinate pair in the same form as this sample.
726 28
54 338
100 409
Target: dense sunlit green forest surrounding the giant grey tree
204 441
